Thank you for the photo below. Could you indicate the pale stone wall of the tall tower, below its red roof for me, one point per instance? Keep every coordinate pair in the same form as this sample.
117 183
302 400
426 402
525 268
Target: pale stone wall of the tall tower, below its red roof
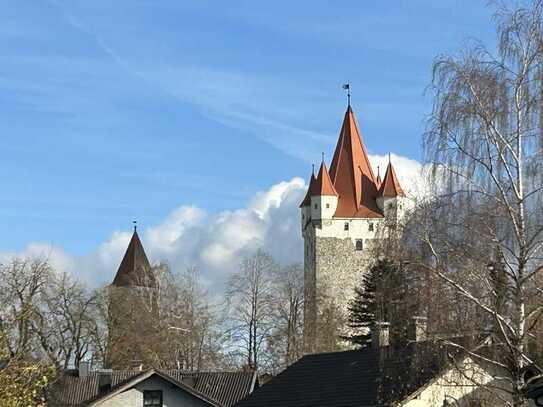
332 269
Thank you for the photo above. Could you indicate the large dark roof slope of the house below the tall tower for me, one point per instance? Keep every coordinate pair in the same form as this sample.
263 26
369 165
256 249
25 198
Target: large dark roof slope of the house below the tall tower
353 378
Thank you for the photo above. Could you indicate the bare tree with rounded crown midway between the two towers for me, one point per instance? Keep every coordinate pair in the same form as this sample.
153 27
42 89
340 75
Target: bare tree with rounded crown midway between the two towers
250 299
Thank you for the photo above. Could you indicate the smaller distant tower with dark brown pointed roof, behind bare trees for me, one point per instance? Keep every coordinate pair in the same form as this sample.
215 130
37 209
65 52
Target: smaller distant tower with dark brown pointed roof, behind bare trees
132 311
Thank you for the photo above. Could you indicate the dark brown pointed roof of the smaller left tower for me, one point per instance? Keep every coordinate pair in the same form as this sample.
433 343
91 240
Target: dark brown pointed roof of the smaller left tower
135 270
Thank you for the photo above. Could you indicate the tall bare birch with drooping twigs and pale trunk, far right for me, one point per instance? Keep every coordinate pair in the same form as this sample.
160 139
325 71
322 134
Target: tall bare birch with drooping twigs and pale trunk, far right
484 139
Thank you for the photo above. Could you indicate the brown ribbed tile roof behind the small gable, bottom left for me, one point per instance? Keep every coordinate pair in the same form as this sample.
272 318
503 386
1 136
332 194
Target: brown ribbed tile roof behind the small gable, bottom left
226 388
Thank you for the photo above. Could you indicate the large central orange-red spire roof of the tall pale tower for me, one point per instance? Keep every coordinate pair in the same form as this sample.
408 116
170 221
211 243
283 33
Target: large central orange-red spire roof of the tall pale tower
352 175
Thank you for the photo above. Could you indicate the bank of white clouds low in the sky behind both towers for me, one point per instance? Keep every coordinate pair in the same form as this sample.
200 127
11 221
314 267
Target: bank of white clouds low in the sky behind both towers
215 242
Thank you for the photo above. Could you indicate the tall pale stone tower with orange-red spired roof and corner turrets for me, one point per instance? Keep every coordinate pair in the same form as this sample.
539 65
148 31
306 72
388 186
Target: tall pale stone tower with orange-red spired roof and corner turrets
343 212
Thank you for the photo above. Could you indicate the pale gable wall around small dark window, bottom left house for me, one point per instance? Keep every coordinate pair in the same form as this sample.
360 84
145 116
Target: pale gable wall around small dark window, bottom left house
172 395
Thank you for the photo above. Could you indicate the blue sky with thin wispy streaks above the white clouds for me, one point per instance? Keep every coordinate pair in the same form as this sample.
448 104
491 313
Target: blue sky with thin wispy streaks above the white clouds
115 110
